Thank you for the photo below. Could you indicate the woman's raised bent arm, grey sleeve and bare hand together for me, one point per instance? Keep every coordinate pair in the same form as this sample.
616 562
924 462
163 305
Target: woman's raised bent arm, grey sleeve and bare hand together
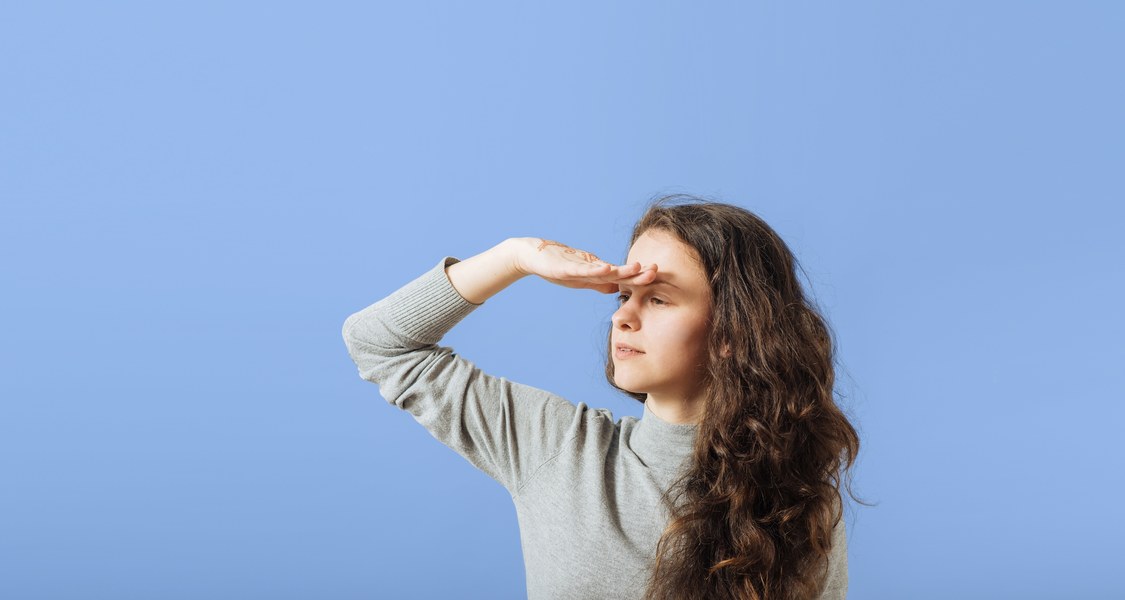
505 428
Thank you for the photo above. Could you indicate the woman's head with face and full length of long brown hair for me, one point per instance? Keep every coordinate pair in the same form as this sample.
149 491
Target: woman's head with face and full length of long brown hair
753 363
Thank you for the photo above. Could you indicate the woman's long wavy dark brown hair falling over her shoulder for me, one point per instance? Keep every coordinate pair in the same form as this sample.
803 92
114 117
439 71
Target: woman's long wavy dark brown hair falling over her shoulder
753 516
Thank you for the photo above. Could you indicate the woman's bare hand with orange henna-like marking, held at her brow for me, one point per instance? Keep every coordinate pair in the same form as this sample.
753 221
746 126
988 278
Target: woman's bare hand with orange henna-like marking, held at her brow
569 267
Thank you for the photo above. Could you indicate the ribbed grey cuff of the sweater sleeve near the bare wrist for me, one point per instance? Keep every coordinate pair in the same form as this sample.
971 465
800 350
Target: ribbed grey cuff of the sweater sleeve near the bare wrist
426 309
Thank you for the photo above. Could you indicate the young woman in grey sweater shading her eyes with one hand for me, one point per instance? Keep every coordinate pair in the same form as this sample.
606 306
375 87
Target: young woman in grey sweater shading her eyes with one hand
726 488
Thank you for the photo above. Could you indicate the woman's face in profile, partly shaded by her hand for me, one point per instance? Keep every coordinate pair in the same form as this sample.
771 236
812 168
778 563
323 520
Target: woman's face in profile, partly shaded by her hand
667 320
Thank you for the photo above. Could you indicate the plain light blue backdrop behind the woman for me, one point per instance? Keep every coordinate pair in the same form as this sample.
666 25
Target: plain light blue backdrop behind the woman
196 195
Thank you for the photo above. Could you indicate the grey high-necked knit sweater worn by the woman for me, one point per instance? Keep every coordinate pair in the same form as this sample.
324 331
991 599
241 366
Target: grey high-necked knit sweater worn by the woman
587 488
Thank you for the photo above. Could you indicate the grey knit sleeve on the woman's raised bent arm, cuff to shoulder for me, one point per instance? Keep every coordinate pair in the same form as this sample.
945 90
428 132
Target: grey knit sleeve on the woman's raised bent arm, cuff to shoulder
503 428
